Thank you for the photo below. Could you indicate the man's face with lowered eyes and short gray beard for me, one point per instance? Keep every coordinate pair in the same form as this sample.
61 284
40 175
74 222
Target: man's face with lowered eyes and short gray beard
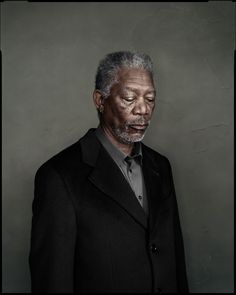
129 107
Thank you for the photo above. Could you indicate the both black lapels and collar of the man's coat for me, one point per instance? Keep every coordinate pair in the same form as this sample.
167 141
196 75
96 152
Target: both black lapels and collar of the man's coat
107 177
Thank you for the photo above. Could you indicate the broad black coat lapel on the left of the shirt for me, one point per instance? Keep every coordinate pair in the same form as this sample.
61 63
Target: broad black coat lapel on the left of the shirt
108 178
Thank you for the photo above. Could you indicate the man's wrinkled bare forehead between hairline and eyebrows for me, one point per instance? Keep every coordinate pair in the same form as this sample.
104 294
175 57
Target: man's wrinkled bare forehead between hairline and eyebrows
135 78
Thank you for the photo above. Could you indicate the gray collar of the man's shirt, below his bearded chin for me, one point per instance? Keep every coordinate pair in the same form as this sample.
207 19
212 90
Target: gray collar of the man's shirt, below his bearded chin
117 154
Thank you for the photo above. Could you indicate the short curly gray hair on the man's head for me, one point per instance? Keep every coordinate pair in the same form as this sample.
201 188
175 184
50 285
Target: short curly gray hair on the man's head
108 68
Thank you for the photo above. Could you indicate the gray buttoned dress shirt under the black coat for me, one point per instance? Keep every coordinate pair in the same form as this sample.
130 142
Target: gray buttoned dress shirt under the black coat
130 166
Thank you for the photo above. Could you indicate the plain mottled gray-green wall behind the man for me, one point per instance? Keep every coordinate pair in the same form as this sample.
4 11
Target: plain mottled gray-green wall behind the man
50 54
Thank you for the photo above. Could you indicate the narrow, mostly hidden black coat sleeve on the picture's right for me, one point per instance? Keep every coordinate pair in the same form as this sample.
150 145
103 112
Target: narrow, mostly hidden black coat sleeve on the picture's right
182 280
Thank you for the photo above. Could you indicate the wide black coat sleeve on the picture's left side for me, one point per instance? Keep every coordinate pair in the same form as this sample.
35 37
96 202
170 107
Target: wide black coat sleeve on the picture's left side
53 234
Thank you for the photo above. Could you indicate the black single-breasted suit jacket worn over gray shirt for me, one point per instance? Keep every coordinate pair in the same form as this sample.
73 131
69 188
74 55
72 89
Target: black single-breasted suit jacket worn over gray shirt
90 234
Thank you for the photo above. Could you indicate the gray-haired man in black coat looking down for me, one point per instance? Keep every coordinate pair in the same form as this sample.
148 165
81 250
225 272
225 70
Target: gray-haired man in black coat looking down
105 215
